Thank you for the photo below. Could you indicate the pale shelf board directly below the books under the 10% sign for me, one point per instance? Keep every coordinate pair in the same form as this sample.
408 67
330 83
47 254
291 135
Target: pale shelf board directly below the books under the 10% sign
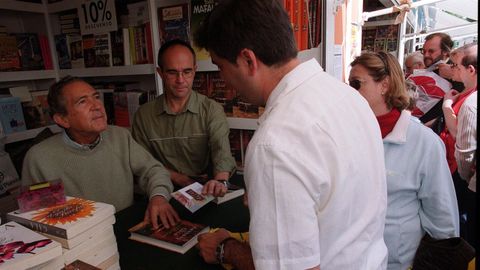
146 69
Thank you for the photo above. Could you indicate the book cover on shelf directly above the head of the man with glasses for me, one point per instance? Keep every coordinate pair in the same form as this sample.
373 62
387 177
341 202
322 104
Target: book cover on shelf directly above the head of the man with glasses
174 23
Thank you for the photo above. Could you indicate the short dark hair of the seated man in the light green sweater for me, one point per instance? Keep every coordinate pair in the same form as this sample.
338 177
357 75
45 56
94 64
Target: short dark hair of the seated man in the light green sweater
55 99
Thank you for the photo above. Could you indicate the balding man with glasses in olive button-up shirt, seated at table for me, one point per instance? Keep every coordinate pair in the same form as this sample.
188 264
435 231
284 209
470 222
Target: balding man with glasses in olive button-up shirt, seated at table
183 129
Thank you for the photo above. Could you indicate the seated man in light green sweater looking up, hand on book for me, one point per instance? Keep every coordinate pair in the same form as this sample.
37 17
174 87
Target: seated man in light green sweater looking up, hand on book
96 161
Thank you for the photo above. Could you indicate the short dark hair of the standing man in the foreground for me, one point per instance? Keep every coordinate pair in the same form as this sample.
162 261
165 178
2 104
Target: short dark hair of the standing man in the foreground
262 26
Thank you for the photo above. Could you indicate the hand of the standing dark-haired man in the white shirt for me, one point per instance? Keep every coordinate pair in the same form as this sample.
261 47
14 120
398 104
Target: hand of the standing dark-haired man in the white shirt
208 242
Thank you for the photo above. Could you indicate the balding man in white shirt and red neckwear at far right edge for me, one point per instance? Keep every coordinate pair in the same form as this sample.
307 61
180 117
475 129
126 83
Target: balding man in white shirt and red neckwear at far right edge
461 110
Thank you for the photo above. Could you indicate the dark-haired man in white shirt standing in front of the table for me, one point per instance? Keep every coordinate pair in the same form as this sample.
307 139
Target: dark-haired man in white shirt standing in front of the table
314 171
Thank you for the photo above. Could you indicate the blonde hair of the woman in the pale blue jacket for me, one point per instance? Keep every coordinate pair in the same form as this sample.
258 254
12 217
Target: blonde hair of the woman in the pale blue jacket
381 65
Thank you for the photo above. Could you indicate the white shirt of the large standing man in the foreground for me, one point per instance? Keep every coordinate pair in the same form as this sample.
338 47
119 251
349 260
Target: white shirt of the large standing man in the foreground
315 176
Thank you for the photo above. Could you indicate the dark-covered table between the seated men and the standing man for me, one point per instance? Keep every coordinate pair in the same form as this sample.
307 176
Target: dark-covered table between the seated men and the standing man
232 215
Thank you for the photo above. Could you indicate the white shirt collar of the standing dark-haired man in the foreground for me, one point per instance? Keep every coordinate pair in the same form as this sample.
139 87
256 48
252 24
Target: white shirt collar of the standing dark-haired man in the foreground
289 82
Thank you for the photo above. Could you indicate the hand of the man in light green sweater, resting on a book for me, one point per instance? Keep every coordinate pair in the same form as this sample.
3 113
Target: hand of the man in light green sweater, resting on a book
158 207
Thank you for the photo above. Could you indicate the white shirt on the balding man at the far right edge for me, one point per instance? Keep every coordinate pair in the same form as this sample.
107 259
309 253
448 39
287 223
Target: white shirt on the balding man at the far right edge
466 140
